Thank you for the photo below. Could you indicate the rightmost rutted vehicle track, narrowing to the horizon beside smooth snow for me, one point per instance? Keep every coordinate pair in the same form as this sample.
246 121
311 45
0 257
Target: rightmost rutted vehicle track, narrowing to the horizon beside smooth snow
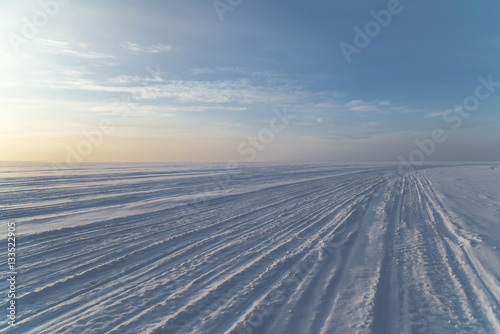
434 291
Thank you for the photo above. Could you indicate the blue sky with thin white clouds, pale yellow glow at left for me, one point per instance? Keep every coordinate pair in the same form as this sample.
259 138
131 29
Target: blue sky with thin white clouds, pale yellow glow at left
249 80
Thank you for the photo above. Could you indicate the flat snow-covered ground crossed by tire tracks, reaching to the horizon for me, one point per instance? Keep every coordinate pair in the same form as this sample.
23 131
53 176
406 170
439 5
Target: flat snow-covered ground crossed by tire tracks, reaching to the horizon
264 248
